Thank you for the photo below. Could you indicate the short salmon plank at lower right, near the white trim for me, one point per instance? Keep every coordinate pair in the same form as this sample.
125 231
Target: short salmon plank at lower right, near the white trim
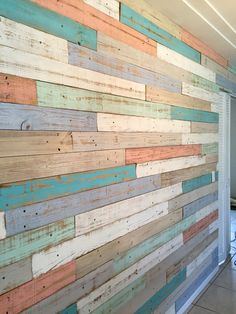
199 226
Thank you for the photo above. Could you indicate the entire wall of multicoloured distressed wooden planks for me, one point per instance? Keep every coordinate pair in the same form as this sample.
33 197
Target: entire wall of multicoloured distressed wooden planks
108 158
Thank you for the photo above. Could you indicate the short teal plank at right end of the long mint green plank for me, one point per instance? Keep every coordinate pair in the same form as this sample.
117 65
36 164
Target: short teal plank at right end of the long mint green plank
186 114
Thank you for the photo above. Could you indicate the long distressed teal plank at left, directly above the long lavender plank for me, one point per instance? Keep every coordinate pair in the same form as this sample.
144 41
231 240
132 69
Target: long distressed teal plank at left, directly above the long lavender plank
29 192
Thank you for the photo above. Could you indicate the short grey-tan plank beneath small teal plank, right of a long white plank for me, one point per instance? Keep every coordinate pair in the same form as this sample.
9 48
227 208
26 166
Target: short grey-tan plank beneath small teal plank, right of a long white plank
192 196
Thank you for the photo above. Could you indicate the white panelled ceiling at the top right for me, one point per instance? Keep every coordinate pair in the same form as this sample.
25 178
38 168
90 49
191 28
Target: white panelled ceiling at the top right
212 21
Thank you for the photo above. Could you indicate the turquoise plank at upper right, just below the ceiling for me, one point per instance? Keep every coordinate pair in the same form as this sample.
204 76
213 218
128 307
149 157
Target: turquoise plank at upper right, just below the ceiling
146 27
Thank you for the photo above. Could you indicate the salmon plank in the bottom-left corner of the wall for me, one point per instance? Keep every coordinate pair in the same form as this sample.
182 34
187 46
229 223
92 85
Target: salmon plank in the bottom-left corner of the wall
37 289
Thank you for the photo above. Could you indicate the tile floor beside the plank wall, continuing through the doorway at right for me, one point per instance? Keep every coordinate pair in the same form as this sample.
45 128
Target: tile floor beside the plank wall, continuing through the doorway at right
220 295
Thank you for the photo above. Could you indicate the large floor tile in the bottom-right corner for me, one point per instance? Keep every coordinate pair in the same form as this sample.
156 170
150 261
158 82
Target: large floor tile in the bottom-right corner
219 299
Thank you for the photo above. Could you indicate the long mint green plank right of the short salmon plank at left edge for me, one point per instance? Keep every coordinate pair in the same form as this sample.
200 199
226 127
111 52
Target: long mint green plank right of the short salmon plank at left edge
59 96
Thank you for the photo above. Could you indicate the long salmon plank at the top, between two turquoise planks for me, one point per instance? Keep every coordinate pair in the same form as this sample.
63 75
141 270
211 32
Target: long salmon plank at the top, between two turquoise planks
91 17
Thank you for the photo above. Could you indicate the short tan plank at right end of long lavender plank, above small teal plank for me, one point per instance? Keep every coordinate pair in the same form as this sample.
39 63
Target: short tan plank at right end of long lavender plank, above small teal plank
173 177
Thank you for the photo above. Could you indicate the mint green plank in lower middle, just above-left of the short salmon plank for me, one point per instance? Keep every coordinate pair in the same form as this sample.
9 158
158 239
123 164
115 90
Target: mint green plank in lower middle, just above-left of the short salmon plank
151 244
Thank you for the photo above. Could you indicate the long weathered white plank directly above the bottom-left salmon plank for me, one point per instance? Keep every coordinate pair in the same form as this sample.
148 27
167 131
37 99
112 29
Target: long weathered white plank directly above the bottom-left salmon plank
68 250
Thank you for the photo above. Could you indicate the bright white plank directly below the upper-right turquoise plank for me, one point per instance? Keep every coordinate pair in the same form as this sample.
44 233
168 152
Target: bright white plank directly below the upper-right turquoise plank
175 58
